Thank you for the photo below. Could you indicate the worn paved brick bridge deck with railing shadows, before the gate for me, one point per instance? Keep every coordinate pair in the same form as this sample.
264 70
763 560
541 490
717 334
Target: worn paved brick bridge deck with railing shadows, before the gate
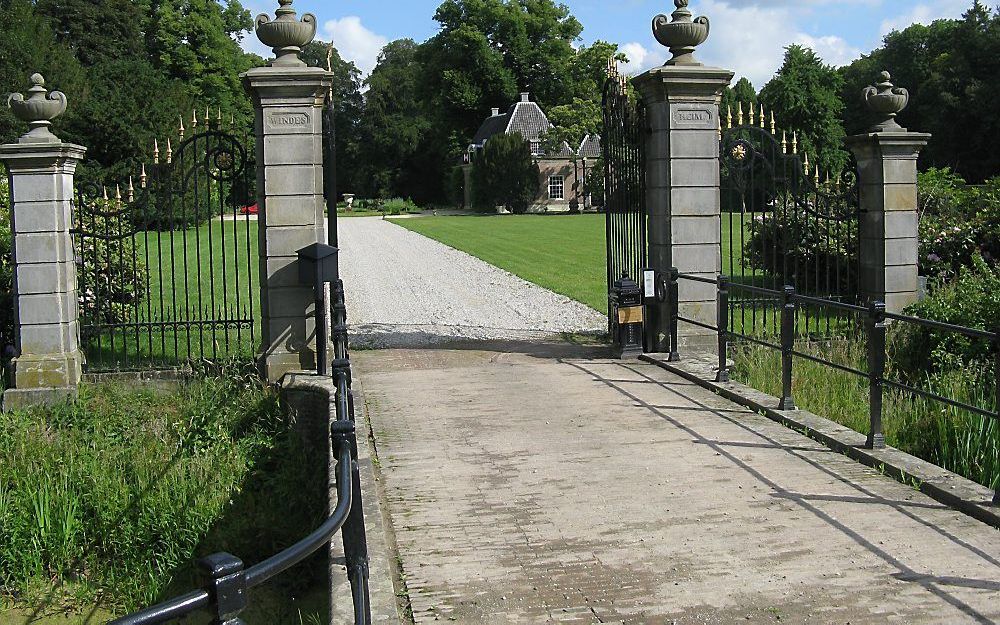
534 484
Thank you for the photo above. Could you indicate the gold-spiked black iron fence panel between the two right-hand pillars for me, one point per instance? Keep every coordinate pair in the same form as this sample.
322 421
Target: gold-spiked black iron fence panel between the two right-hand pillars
784 223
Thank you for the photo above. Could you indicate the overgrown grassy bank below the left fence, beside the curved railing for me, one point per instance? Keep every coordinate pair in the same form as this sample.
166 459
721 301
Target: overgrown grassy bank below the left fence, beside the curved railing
107 501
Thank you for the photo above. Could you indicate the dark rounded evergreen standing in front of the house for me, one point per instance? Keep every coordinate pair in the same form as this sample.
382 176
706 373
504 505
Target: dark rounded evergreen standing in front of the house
505 174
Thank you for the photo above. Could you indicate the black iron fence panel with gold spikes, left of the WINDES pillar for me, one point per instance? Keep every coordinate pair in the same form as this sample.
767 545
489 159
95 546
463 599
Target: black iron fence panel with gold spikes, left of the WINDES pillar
167 262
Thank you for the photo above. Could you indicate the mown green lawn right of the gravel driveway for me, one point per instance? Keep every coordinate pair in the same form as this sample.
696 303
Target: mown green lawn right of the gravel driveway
563 253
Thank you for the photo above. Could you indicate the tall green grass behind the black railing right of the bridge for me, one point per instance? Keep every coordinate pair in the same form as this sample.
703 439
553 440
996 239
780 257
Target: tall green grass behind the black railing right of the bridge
955 439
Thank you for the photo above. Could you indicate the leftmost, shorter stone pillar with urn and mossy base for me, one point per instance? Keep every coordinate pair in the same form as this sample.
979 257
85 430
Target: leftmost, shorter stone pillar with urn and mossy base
48 362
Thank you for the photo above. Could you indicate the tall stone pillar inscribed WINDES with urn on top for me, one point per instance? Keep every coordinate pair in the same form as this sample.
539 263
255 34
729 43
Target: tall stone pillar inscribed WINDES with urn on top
288 98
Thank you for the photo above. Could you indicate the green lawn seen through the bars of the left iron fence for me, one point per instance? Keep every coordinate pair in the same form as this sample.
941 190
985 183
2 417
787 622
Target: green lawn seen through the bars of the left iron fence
194 275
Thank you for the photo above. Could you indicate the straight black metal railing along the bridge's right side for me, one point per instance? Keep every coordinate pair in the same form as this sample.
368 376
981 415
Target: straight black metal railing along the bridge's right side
875 335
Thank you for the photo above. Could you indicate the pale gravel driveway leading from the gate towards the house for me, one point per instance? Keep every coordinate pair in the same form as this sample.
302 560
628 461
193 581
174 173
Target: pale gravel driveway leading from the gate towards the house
404 289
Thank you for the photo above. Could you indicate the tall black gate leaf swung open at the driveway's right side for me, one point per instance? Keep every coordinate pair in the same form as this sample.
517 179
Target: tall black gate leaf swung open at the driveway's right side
623 147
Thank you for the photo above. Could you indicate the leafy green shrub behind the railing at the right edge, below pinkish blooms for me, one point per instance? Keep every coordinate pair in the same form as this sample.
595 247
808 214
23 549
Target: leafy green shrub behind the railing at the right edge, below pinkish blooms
971 300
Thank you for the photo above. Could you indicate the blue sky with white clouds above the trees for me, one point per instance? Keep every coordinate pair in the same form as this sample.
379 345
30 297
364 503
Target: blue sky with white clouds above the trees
748 36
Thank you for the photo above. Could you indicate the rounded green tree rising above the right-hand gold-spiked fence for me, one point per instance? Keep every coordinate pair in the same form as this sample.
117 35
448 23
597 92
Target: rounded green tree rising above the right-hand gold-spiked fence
805 98
